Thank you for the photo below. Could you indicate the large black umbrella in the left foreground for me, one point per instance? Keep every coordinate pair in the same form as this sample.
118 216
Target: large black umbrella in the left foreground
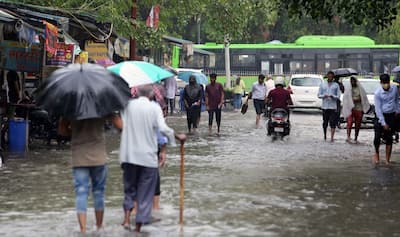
83 91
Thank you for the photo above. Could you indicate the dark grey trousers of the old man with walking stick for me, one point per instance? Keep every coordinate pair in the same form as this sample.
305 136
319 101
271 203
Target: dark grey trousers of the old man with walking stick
139 185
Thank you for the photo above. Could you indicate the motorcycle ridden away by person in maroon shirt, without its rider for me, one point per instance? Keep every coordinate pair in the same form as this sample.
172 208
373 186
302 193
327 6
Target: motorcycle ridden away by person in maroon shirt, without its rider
278 124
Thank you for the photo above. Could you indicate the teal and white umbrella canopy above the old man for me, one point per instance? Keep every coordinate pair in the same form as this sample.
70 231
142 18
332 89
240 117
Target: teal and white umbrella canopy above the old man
137 73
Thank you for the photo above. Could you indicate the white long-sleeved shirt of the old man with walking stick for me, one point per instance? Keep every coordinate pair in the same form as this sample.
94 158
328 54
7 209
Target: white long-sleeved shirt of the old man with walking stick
141 120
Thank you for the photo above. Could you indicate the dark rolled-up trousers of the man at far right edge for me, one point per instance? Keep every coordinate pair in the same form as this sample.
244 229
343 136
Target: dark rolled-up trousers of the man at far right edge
387 135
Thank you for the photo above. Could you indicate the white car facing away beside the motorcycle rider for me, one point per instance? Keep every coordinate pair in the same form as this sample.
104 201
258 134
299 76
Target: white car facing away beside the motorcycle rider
304 90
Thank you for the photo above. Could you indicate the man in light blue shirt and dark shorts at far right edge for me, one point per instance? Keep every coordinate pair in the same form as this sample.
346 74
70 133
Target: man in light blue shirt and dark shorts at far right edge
386 107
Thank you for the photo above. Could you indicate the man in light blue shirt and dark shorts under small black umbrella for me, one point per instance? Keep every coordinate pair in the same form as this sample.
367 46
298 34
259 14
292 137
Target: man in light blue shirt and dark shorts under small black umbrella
329 92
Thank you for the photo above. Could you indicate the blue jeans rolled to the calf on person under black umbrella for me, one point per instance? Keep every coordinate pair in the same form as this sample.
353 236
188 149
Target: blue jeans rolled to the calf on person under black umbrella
98 176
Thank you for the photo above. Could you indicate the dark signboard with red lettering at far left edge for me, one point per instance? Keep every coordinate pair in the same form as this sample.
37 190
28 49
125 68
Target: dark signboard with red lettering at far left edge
16 56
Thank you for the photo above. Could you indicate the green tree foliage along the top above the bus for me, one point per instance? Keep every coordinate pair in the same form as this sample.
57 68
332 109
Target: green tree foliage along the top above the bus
245 21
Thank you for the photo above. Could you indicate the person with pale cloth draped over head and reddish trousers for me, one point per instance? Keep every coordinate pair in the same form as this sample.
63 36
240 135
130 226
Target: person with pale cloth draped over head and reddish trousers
355 103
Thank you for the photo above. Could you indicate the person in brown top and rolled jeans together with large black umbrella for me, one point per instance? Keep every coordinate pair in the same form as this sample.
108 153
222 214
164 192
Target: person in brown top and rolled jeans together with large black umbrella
83 95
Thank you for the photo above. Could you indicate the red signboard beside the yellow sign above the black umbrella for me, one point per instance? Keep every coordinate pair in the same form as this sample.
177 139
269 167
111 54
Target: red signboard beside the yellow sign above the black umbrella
62 57
